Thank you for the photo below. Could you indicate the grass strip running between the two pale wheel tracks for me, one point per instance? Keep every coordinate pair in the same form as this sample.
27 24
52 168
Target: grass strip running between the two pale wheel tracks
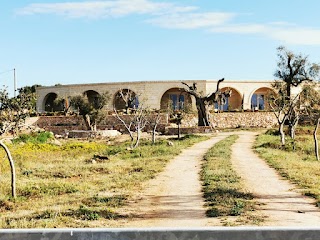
223 189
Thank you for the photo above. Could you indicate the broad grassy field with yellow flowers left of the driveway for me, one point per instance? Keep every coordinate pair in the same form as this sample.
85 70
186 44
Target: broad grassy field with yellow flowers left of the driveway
60 186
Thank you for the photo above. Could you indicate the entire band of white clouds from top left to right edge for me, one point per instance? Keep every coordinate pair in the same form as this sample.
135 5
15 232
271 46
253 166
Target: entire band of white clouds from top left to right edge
174 16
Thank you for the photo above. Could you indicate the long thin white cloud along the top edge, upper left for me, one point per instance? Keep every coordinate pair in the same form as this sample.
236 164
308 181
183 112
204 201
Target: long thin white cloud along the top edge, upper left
98 9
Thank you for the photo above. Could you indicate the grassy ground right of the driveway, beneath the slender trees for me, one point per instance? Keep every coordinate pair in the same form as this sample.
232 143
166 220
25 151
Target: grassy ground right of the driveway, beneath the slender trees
299 166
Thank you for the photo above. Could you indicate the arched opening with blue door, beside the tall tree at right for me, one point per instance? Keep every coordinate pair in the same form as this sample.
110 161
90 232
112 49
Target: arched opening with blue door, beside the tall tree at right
259 99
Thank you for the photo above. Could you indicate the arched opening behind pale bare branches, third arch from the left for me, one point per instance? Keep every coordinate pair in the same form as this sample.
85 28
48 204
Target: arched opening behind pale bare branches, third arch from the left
125 99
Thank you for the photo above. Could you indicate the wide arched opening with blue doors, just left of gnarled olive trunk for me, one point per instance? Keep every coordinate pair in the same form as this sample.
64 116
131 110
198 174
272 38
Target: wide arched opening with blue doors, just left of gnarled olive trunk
176 99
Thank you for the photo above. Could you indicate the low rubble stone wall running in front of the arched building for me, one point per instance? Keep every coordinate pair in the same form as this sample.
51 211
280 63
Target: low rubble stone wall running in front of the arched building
61 124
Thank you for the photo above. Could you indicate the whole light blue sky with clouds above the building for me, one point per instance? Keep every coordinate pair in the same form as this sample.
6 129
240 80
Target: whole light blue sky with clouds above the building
98 41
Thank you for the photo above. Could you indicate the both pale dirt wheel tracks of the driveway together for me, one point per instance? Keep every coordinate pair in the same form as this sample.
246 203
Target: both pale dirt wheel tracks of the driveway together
174 197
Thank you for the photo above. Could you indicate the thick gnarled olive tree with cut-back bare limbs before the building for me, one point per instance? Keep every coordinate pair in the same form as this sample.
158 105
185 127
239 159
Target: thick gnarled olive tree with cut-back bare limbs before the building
202 102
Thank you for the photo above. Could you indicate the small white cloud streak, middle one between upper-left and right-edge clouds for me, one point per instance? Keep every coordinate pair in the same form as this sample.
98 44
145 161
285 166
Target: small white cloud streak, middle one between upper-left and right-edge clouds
192 20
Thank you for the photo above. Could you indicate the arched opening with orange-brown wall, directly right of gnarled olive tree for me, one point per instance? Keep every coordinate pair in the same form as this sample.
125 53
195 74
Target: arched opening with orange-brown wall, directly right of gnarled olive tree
233 102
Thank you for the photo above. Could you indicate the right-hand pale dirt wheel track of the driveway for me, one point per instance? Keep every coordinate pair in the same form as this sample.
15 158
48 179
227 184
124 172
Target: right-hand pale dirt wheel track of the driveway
280 201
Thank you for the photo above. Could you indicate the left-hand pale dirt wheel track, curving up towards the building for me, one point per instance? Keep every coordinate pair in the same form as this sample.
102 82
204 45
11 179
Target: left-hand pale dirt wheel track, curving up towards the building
174 197
